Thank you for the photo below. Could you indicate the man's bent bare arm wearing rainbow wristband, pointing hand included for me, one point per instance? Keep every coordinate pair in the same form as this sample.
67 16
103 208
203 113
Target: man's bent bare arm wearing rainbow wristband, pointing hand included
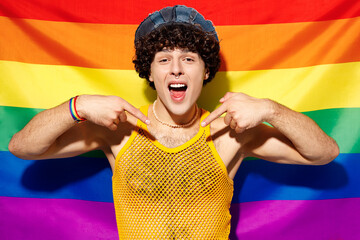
53 133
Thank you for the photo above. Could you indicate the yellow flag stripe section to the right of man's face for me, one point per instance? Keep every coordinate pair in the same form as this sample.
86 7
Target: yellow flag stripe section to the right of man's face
302 89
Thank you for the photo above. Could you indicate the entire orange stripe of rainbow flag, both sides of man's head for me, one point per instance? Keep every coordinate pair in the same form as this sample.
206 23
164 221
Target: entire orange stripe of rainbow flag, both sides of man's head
250 47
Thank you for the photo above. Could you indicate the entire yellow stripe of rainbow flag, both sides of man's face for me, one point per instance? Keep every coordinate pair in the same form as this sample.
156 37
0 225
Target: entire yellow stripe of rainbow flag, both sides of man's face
303 89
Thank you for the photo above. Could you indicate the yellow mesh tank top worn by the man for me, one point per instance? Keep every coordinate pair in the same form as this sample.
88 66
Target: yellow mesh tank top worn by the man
171 193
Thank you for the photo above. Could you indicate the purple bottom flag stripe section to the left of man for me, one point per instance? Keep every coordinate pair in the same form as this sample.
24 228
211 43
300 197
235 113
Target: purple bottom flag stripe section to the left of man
56 219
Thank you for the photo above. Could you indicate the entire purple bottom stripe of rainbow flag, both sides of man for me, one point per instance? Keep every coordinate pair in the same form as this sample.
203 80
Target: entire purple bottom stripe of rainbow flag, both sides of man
58 219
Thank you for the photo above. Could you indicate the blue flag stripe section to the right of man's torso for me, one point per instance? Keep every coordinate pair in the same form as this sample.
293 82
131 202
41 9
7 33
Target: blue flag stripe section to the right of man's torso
259 180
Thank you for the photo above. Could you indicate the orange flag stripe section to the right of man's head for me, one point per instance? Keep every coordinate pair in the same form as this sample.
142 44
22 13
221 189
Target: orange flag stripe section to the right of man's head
291 45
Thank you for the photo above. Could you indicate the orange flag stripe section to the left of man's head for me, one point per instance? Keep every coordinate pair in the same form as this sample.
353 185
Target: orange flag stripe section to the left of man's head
64 43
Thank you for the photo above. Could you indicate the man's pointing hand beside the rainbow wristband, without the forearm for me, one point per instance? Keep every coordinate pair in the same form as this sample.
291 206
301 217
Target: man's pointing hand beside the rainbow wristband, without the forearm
107 111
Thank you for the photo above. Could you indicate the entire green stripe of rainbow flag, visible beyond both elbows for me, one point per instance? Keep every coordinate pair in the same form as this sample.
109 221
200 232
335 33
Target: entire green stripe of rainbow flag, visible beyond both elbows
341 123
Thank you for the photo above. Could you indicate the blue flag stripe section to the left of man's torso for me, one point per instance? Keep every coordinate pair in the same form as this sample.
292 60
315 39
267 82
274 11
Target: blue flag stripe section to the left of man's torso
80 178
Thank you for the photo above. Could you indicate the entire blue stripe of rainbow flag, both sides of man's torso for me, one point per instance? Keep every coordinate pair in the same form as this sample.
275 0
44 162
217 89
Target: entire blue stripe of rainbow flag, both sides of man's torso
90 179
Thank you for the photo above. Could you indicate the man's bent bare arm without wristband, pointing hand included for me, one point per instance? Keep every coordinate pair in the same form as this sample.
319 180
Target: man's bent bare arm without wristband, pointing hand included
295 138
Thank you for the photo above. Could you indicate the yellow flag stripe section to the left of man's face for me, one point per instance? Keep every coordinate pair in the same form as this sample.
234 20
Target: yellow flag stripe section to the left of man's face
45 86
